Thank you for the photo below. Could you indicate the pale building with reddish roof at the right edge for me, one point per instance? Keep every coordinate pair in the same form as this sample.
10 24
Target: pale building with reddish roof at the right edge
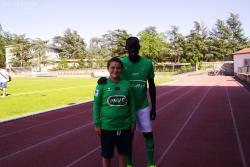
242 61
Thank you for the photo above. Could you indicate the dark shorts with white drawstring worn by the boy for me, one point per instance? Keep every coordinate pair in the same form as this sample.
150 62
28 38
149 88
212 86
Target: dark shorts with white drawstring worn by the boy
121 139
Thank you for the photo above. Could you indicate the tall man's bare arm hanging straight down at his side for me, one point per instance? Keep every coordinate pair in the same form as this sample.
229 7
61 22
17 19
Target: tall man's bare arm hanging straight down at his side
152 94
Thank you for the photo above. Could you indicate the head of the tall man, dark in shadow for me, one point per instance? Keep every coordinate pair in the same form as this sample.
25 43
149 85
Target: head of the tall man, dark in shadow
133 47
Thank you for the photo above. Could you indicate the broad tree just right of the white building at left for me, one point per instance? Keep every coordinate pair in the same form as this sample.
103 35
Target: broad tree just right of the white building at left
71 44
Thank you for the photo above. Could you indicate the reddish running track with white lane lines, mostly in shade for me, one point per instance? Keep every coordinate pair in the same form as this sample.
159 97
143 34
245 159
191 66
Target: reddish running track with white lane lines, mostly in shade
201 122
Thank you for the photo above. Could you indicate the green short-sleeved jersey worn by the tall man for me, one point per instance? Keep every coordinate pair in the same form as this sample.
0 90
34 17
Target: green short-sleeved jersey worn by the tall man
137 74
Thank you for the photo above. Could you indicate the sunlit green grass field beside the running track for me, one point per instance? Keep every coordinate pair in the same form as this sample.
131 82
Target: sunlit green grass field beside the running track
31 95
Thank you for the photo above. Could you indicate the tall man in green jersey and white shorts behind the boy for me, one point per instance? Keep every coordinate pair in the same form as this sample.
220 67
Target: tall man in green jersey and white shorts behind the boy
138 71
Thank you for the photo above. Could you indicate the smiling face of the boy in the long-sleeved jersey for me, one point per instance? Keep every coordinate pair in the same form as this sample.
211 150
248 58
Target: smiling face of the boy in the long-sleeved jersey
114 70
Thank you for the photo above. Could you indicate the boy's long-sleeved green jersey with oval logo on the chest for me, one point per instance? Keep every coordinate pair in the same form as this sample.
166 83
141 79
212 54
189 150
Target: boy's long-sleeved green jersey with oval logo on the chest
114 107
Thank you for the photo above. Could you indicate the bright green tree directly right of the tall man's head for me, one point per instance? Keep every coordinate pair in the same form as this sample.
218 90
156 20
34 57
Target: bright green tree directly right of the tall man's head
152 43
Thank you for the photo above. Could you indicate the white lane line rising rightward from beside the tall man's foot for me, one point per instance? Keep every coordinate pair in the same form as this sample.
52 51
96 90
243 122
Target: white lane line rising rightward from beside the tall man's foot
182 128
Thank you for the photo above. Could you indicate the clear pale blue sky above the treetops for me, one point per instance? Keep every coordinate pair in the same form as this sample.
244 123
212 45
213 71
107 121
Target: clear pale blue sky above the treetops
92 18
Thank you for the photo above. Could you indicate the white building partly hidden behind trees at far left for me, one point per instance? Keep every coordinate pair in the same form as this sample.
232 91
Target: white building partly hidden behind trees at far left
51 53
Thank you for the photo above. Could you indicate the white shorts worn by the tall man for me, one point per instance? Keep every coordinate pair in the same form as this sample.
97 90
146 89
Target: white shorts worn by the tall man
143 122
